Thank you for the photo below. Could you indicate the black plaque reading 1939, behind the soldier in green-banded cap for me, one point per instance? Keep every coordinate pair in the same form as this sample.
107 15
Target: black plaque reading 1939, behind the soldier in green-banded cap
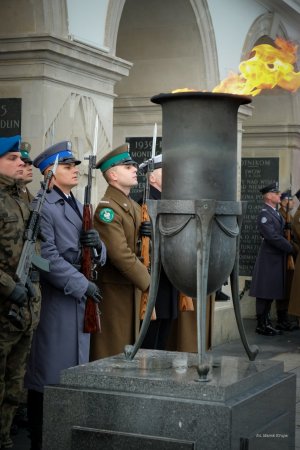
140 149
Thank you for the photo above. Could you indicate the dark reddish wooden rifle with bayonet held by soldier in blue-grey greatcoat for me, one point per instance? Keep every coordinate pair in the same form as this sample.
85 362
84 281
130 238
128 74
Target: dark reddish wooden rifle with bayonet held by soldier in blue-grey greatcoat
92 322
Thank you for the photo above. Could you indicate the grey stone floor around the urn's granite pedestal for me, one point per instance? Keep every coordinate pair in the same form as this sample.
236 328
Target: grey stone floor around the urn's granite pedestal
285 348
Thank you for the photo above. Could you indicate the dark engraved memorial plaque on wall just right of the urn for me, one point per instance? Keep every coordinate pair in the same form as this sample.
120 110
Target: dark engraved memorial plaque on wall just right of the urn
256 173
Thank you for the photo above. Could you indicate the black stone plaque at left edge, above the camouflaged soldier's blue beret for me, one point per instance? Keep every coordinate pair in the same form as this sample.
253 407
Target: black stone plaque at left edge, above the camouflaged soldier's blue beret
10 116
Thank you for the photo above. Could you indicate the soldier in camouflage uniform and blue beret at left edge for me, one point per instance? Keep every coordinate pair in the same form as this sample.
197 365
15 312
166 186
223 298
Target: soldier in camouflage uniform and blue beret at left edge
15 330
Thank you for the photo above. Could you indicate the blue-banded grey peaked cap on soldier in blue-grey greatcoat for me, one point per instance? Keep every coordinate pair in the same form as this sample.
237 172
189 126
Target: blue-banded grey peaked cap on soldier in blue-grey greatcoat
47 157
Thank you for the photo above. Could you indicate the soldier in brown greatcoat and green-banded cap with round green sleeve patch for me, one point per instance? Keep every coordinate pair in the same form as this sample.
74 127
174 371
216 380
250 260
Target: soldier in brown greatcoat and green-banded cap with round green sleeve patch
118 219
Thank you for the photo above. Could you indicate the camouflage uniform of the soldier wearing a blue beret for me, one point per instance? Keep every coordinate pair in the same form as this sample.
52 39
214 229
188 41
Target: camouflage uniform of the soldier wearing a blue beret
14 342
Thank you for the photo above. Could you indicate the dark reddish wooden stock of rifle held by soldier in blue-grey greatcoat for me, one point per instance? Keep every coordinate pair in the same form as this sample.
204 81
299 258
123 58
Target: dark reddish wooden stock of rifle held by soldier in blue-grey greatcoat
92 322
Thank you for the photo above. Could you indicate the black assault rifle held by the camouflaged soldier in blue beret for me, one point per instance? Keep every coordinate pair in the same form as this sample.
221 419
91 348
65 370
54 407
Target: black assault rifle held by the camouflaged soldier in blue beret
28 256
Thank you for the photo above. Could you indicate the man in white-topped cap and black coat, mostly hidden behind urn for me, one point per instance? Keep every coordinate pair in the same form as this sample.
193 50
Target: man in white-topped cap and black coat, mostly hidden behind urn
166 305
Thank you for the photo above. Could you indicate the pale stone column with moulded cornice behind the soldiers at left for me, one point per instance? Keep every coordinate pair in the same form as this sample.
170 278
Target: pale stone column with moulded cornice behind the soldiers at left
63 84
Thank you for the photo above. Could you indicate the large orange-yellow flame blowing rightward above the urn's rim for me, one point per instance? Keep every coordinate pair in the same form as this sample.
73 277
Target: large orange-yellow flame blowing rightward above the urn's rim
267 68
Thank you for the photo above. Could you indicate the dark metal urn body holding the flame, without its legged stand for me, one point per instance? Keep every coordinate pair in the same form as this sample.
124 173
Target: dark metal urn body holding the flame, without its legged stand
199 162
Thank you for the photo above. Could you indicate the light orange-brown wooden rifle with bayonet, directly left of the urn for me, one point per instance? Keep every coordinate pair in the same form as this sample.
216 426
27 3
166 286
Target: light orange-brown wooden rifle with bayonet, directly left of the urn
145 240
